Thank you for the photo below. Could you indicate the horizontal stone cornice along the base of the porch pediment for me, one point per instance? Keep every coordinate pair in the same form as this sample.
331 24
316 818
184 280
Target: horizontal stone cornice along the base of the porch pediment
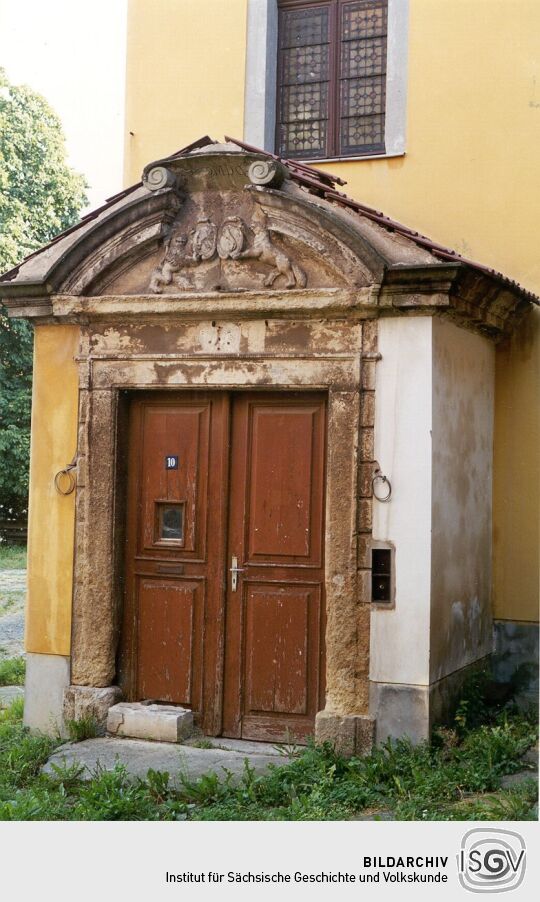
476 303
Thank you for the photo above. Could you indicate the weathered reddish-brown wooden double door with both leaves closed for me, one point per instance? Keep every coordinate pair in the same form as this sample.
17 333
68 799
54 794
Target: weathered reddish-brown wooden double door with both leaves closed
224 603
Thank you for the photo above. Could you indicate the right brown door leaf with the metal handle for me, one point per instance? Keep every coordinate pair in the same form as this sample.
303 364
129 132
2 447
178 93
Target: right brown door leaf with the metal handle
273 663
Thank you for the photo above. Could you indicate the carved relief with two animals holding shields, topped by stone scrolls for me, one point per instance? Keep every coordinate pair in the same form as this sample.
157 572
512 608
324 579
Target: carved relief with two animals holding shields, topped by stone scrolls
240 225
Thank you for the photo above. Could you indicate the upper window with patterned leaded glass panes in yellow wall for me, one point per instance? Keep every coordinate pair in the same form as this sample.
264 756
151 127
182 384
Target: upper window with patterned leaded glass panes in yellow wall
331 78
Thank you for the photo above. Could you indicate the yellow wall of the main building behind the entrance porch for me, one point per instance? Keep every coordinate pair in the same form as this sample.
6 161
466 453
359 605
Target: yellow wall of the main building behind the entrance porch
469 180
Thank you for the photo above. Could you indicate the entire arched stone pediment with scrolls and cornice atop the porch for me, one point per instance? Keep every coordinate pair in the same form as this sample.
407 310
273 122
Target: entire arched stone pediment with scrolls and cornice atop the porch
228 219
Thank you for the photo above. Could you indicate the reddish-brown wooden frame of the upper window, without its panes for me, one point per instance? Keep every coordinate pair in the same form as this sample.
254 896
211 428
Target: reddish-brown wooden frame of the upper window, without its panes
333 141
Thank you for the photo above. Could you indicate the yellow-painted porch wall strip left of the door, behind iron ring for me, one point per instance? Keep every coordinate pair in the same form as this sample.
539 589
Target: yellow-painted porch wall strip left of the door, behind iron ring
51 516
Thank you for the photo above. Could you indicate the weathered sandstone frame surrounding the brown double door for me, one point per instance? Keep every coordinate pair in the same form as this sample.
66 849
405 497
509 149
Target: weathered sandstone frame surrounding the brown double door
99 511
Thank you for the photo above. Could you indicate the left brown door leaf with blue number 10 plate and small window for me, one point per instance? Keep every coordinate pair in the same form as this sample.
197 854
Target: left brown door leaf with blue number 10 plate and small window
172 647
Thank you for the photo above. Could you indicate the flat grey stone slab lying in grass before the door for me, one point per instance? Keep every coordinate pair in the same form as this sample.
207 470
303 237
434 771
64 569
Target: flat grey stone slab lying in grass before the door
139 756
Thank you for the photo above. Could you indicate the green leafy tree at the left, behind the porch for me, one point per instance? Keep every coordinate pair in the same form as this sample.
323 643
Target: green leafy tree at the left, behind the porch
39 196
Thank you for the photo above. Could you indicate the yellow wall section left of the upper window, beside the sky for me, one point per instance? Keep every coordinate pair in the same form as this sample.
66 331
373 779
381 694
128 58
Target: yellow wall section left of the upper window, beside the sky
185 75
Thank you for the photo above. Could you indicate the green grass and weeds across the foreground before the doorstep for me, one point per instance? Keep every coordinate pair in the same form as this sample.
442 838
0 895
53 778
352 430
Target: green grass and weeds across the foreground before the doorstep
456 777
